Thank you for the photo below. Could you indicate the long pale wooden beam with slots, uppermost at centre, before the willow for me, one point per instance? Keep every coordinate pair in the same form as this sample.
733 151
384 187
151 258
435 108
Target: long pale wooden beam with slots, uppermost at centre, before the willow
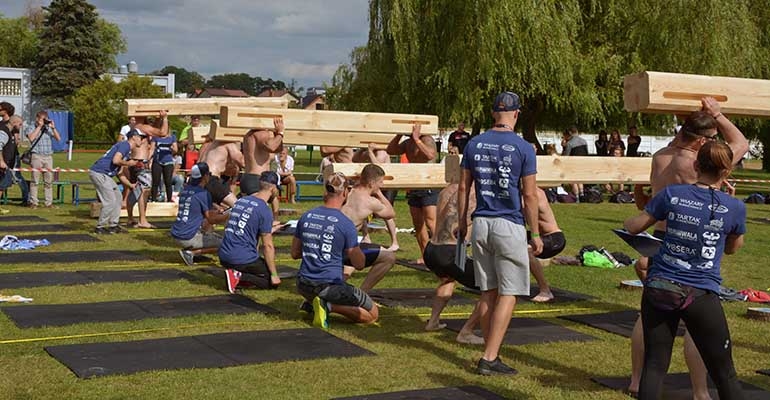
334 121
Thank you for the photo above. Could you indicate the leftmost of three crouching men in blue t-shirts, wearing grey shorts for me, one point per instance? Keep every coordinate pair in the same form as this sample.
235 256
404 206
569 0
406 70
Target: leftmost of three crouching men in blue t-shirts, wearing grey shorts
192 228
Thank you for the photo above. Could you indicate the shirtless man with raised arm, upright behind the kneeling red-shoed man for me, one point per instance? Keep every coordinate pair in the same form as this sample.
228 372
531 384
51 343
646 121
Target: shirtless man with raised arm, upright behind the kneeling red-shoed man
258 149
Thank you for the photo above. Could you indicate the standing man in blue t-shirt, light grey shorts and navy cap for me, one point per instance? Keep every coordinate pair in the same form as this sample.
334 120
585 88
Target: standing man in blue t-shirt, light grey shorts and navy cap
503 168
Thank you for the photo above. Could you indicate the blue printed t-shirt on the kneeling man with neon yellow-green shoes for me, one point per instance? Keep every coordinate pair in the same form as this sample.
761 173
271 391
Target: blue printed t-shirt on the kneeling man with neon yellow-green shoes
325 233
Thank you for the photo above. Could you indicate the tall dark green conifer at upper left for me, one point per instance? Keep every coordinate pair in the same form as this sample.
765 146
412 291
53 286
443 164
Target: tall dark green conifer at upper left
73 50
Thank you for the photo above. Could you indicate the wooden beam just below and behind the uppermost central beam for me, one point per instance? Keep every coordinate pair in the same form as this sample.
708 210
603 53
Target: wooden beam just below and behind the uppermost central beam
306 137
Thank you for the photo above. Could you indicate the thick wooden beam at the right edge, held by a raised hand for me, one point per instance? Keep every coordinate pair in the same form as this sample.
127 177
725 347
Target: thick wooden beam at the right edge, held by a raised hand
663 92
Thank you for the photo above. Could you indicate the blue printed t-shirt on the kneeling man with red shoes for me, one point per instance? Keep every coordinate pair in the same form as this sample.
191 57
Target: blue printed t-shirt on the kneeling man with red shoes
250 217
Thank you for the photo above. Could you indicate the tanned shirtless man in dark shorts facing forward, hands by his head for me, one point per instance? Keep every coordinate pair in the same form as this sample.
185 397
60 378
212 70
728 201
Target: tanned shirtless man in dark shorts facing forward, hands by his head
422 203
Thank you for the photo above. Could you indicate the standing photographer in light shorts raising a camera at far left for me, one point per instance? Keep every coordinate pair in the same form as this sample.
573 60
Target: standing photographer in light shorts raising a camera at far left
41 151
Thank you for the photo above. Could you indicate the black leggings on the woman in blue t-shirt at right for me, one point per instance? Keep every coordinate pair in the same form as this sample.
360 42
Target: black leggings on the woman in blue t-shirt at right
705 320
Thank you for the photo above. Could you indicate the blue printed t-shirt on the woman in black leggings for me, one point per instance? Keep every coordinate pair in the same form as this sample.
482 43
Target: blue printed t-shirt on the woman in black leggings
695 241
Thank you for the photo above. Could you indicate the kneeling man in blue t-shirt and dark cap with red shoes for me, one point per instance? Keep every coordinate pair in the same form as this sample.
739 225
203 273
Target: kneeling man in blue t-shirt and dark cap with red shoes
251 220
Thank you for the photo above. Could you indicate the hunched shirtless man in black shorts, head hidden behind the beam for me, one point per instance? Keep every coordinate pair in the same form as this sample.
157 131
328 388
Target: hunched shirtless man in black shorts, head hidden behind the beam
218 155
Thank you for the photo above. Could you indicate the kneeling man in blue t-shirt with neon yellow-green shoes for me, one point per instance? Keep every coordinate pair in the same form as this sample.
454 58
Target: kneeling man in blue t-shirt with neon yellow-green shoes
325 236
